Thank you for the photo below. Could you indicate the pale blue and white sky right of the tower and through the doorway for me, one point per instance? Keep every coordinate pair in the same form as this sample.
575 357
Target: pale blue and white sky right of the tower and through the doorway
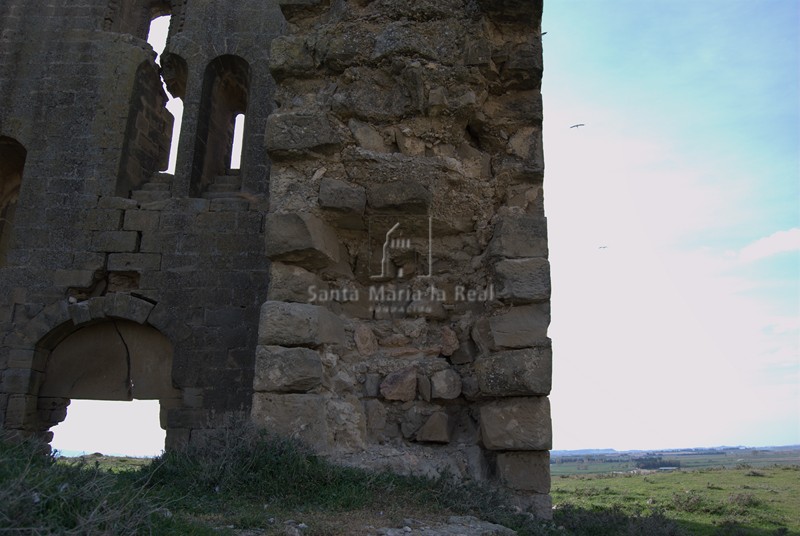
684 329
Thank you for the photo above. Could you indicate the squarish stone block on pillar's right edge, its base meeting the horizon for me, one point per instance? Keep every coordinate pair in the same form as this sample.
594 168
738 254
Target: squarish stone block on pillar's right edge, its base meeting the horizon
517 424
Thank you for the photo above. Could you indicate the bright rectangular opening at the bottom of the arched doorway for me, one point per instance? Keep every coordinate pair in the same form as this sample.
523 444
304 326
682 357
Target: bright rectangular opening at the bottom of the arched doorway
110 428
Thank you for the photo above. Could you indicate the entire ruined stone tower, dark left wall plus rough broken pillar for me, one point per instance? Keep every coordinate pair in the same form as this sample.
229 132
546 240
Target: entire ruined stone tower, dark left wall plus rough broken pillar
372 280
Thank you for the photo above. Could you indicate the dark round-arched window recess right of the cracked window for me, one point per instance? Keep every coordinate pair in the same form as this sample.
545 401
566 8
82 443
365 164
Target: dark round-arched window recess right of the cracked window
225 94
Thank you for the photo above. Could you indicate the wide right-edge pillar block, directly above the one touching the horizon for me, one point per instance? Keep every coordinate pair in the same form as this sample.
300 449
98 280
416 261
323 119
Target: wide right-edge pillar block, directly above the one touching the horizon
516 372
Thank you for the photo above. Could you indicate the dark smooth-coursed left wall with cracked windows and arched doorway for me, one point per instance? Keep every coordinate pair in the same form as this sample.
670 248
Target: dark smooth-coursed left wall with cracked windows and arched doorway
101 237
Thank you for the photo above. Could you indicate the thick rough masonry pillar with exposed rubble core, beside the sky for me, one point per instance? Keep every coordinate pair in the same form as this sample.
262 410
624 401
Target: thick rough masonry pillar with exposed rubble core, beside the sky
426 115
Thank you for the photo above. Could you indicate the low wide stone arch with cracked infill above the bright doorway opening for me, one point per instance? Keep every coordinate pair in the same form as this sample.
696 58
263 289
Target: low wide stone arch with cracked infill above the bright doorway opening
113 347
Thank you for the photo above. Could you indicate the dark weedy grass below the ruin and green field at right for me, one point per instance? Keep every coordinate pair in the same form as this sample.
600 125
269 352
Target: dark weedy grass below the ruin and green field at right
248 480
